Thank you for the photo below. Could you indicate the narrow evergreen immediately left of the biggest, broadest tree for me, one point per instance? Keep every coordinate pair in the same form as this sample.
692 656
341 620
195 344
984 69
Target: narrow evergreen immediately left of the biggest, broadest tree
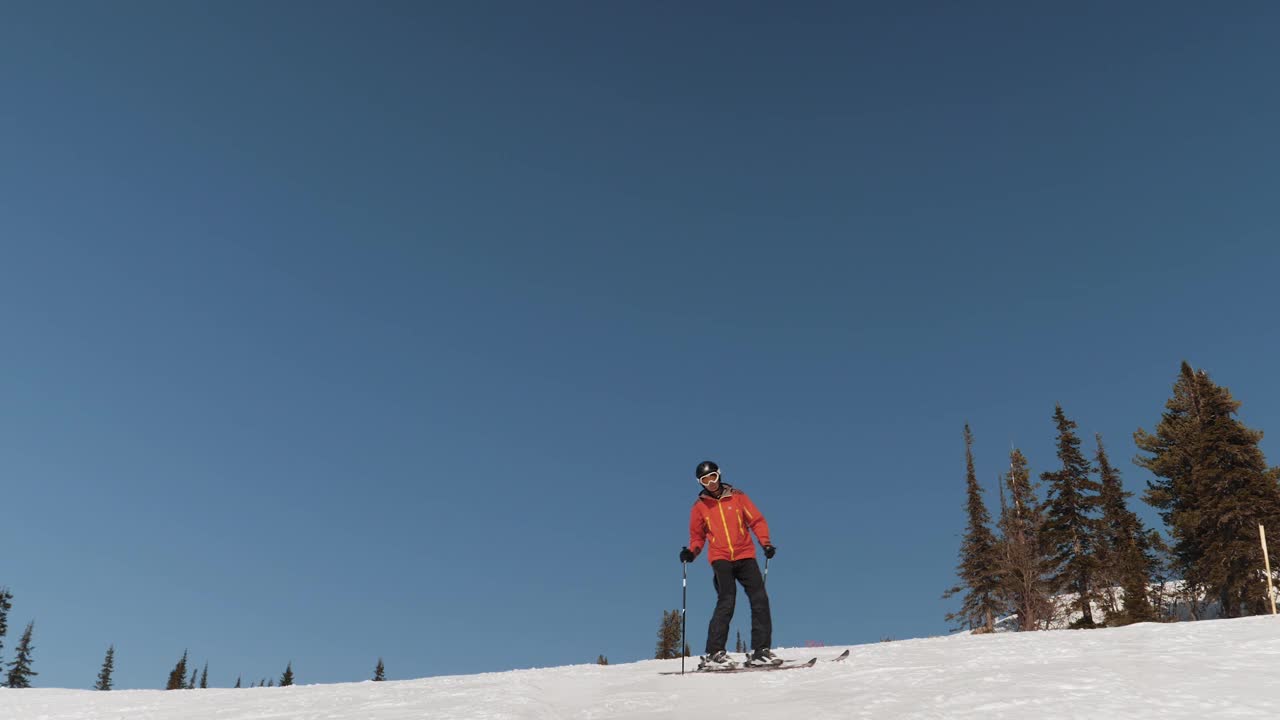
1126 555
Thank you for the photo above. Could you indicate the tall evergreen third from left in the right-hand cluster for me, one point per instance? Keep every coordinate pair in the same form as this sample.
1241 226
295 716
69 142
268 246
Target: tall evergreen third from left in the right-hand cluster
1071 527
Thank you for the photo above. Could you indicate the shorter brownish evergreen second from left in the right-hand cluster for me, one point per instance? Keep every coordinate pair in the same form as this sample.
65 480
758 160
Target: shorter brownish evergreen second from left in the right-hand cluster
1023 564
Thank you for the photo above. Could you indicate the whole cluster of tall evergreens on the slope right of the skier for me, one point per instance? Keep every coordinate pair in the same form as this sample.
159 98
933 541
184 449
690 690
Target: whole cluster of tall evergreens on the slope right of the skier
1082 543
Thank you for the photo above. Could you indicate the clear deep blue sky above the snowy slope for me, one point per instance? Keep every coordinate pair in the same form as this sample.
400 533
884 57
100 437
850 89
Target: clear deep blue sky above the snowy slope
332 332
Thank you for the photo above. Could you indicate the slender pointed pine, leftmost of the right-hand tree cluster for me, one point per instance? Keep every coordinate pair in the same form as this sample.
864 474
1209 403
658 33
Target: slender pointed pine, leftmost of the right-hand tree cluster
979 559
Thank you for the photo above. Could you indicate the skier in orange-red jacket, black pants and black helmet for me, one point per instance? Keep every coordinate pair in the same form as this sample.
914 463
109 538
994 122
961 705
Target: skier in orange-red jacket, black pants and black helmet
720 520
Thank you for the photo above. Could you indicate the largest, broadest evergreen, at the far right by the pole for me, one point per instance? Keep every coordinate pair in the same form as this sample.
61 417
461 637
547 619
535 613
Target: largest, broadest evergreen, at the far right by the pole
1214 489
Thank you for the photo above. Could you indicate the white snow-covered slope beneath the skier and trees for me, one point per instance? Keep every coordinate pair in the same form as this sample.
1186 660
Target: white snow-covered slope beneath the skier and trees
1209 669
